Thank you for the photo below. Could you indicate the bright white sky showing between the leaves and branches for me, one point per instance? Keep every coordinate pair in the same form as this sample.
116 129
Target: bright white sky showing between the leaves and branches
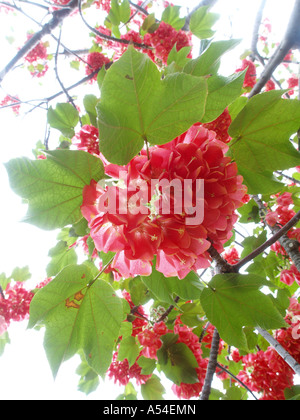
24 370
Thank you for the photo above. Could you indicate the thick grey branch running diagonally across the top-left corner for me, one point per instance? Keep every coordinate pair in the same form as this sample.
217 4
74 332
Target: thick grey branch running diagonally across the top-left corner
58 17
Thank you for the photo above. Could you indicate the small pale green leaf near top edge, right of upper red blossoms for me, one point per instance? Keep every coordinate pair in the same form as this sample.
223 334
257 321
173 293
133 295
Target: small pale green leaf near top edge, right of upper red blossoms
202 21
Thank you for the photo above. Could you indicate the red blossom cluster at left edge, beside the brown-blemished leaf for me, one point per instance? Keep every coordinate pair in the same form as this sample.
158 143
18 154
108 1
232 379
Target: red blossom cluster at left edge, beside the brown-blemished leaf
15 302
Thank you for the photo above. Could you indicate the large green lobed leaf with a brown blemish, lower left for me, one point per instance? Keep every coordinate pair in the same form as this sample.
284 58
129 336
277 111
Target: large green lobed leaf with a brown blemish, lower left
78 314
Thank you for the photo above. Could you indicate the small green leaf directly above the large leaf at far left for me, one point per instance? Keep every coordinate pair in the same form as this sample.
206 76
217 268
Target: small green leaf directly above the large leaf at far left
64 118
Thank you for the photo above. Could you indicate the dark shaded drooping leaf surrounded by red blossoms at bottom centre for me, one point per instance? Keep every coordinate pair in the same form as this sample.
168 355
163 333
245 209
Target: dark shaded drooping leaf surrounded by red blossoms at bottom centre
177 361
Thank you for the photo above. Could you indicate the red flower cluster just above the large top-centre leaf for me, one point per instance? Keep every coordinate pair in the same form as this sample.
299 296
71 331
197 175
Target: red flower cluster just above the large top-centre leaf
164 39
